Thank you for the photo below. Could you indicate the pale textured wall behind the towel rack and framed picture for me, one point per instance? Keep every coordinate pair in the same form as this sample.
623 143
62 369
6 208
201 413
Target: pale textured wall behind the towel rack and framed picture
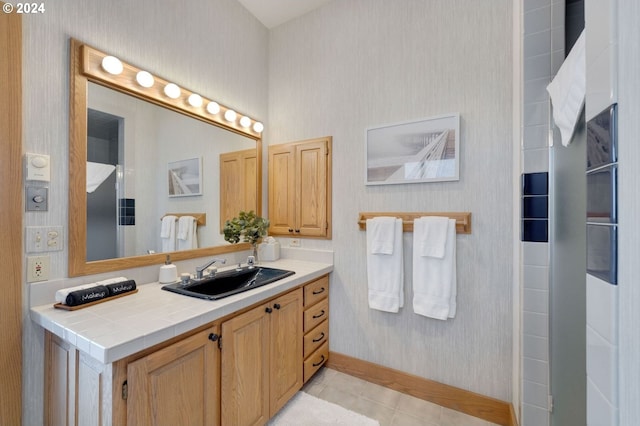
360 63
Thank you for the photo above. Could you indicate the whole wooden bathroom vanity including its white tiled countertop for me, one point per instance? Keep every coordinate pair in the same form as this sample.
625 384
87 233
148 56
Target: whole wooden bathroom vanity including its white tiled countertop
157 357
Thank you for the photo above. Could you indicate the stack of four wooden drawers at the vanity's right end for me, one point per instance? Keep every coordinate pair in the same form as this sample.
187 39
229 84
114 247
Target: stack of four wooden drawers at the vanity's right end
316 326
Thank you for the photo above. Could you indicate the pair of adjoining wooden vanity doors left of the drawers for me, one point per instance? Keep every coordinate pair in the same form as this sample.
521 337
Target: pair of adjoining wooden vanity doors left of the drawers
261 367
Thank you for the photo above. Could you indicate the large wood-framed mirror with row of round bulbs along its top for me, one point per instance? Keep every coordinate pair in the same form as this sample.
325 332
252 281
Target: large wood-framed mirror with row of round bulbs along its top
132 141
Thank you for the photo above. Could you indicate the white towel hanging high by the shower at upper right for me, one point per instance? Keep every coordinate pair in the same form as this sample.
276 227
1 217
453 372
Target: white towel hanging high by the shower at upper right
567 90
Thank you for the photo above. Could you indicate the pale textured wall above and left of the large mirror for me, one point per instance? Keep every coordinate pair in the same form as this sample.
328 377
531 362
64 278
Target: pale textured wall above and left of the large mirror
214 47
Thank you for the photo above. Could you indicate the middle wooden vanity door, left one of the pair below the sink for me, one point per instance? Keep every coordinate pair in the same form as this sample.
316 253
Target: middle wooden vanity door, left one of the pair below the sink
245 369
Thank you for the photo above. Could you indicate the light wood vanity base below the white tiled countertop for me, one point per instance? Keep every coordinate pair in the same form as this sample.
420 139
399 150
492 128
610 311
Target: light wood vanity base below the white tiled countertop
240 370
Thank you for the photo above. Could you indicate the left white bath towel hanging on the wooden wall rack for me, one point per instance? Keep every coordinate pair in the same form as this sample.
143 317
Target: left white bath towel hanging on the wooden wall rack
385 272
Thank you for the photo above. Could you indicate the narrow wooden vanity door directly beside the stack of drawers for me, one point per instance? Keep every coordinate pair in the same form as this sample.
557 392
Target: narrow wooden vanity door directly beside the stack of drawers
286 349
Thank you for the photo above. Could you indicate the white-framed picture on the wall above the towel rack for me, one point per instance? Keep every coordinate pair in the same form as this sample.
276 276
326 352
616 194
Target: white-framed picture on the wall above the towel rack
426 150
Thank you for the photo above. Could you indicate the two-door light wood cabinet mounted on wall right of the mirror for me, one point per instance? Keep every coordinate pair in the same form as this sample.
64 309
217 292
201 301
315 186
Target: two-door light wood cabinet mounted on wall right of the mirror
300 188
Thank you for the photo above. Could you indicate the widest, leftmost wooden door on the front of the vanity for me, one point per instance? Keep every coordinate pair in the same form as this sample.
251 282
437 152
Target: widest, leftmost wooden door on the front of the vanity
176 385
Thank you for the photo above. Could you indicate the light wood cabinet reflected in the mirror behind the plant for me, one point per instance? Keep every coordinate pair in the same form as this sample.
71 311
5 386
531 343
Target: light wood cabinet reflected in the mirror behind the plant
238 183
